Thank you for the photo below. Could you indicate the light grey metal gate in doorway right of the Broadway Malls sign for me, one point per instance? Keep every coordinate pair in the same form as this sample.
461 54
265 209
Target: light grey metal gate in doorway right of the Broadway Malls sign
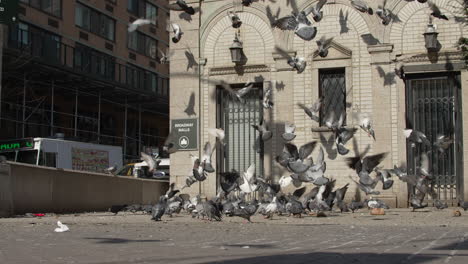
236 119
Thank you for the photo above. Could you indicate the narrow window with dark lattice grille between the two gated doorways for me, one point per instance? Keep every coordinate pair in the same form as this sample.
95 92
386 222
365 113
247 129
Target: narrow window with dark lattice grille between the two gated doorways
333 89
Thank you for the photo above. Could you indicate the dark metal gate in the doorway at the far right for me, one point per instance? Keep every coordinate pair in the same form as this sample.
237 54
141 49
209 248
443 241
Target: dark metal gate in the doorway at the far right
434 107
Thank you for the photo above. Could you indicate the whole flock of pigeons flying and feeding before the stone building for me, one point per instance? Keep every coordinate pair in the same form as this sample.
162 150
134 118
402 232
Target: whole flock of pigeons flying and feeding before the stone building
237 187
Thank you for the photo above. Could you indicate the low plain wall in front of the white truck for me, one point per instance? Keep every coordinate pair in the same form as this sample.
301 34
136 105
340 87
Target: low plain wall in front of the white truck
27 188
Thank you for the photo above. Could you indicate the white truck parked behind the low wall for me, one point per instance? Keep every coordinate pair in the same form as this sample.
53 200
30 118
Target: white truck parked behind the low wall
60 153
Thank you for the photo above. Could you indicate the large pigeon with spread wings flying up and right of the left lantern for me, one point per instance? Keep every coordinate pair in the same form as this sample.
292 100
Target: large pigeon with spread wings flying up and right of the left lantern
298 23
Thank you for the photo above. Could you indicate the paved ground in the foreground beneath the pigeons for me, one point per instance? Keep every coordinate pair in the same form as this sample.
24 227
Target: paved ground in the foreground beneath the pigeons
400 236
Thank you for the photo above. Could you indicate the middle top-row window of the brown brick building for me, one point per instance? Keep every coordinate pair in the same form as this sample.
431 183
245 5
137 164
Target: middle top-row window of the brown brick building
95 22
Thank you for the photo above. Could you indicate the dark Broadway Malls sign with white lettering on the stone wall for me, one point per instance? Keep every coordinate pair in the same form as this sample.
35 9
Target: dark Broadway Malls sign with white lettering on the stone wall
185 133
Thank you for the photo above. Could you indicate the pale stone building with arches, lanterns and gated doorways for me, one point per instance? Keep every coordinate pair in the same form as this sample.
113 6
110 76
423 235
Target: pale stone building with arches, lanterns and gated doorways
357 74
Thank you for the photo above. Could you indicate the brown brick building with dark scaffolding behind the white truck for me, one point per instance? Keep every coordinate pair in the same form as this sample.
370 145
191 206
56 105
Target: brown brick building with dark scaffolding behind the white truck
72 67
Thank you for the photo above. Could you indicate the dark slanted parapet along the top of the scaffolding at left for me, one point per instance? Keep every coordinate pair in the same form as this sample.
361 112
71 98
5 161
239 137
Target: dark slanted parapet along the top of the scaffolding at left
86 61
